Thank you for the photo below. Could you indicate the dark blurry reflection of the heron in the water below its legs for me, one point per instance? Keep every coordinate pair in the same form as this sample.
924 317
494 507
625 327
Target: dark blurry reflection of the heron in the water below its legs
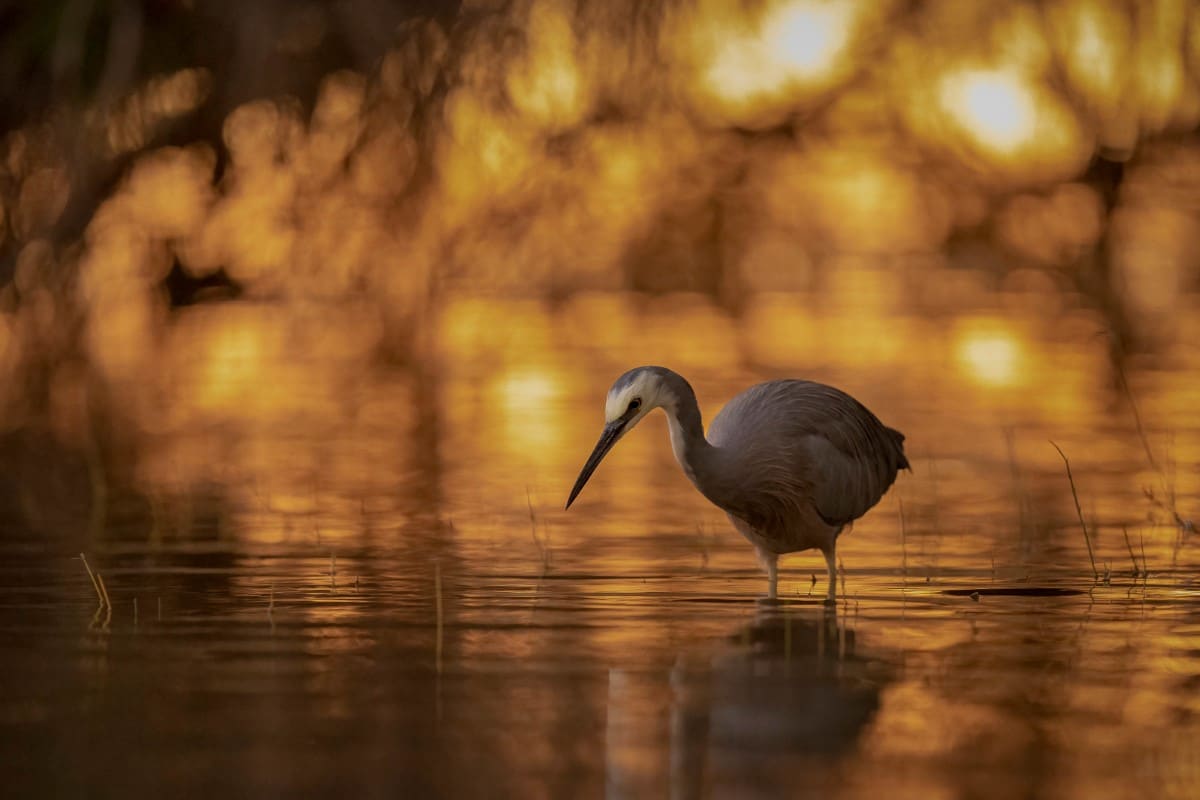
791 691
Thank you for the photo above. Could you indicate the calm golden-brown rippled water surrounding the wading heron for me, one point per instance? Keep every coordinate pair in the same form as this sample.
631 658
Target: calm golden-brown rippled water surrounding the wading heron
375 592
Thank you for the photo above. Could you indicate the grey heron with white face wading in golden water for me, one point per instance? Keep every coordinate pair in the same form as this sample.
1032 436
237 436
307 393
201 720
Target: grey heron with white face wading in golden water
793 464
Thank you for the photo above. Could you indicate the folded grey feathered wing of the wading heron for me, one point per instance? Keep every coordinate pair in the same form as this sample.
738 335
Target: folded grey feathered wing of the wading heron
801 441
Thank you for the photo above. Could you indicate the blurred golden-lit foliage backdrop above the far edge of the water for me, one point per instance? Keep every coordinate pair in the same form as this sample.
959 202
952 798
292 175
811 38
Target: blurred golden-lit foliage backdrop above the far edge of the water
346 169
